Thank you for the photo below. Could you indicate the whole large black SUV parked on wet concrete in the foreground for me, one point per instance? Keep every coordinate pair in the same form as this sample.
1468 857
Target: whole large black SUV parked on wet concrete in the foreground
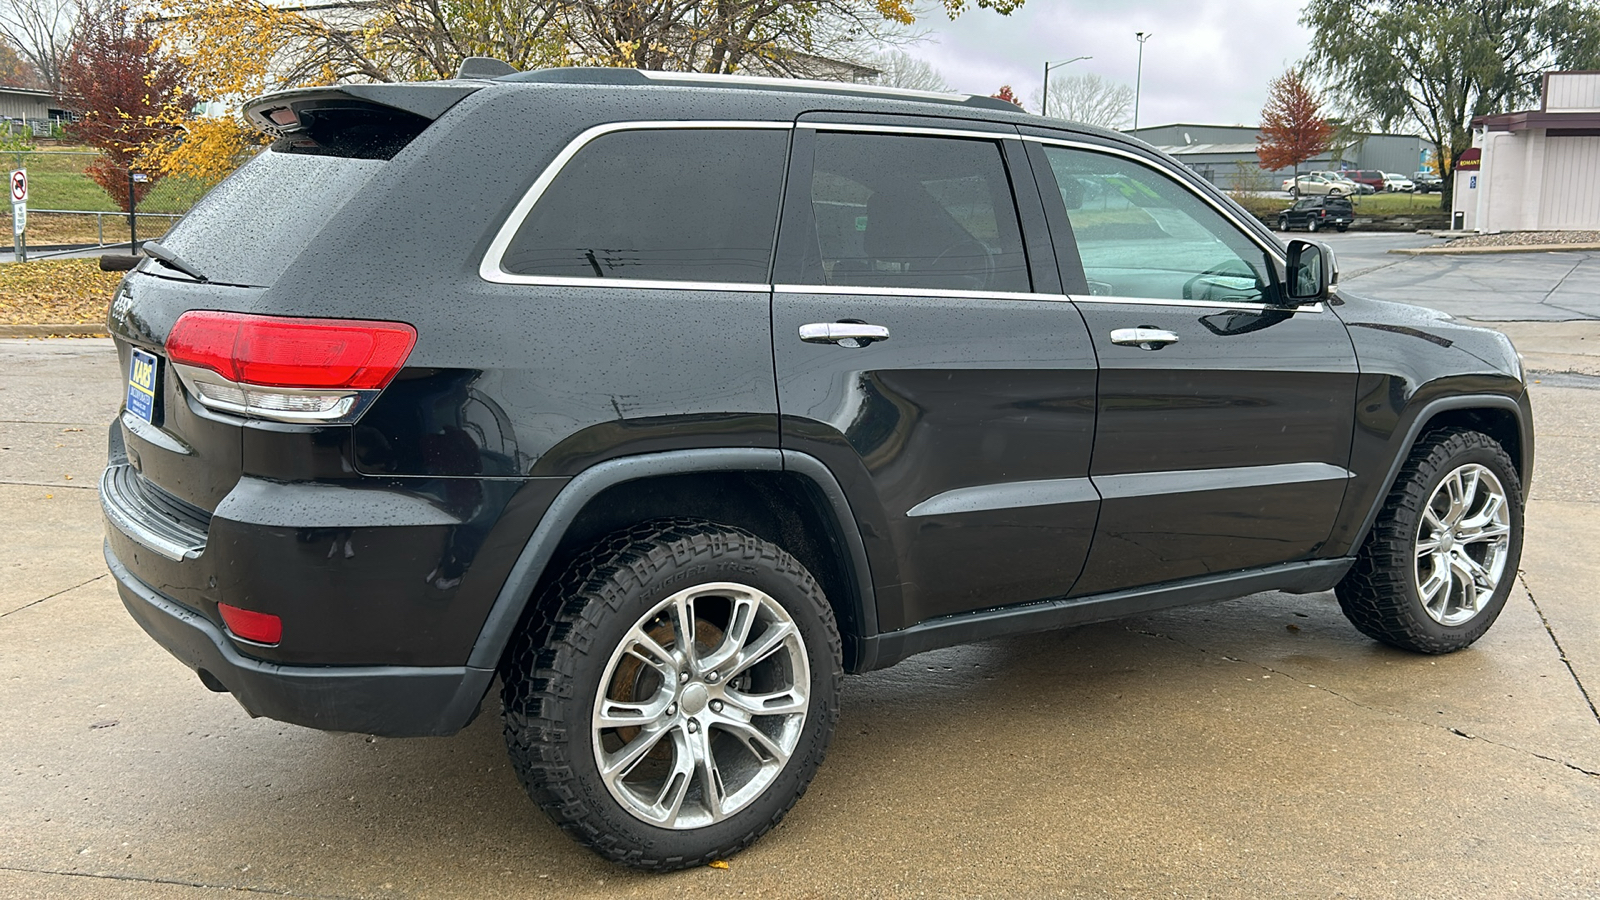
671 400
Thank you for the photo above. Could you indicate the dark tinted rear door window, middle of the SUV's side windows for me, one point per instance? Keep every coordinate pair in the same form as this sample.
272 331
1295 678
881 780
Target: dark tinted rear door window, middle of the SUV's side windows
908 212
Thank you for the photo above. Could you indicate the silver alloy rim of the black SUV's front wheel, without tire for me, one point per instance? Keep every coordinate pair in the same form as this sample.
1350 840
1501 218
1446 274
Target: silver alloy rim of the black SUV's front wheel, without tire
1462 545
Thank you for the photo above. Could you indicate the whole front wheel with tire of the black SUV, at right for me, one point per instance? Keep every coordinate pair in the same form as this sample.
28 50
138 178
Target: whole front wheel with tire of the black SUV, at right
1442 556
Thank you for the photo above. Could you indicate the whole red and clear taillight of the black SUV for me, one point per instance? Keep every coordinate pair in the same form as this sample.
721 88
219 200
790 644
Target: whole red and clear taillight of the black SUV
276 368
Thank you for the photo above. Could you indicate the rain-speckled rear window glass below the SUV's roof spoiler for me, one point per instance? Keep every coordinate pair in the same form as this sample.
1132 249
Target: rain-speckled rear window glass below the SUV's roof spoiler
250 228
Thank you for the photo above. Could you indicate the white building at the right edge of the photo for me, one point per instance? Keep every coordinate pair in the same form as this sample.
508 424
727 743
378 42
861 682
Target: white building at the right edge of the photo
1537 171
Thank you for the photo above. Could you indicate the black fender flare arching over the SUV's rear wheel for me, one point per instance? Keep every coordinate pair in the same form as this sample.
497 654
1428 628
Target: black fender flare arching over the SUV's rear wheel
530 566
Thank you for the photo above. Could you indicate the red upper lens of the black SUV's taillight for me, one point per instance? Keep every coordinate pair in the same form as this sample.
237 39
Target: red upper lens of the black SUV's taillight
278 352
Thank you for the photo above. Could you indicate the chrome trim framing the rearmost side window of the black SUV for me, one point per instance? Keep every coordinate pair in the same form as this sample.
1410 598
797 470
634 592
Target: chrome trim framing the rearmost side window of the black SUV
490 270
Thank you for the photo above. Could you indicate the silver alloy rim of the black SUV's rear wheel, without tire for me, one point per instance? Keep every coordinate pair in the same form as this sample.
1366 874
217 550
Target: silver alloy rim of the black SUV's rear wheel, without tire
702 705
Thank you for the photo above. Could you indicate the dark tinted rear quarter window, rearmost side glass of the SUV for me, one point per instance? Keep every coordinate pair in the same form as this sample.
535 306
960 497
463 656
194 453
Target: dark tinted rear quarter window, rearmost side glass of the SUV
690 204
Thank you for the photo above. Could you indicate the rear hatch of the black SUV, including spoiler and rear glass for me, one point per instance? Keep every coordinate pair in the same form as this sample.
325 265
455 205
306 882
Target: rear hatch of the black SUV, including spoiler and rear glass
172 459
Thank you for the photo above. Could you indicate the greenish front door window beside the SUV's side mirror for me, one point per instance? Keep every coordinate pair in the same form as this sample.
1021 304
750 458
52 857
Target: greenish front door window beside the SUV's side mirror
1143 235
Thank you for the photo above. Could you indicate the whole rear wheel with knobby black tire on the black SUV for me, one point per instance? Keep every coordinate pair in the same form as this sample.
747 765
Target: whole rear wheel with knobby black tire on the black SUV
679 699
